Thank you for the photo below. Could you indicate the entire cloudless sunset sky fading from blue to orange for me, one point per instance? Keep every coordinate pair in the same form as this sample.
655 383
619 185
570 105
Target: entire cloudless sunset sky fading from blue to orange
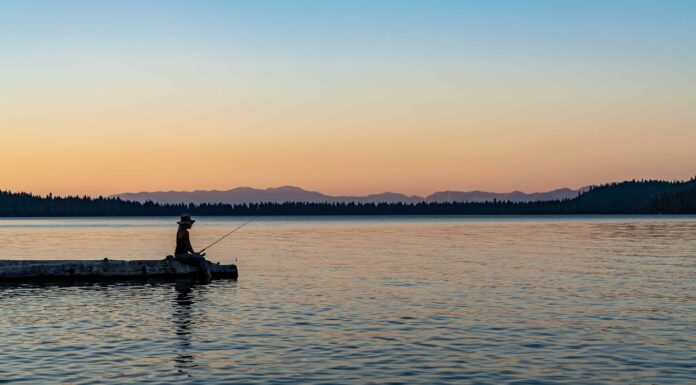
344 97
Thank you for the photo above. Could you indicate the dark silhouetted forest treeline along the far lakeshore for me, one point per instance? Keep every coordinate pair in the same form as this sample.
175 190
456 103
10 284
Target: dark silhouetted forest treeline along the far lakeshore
630 197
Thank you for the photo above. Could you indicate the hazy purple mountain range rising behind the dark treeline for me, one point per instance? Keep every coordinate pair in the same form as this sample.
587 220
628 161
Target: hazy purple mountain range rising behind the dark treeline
296 194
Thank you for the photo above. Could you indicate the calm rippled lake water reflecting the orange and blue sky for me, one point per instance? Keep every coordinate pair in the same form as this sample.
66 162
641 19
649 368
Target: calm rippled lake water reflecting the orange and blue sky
357 301
